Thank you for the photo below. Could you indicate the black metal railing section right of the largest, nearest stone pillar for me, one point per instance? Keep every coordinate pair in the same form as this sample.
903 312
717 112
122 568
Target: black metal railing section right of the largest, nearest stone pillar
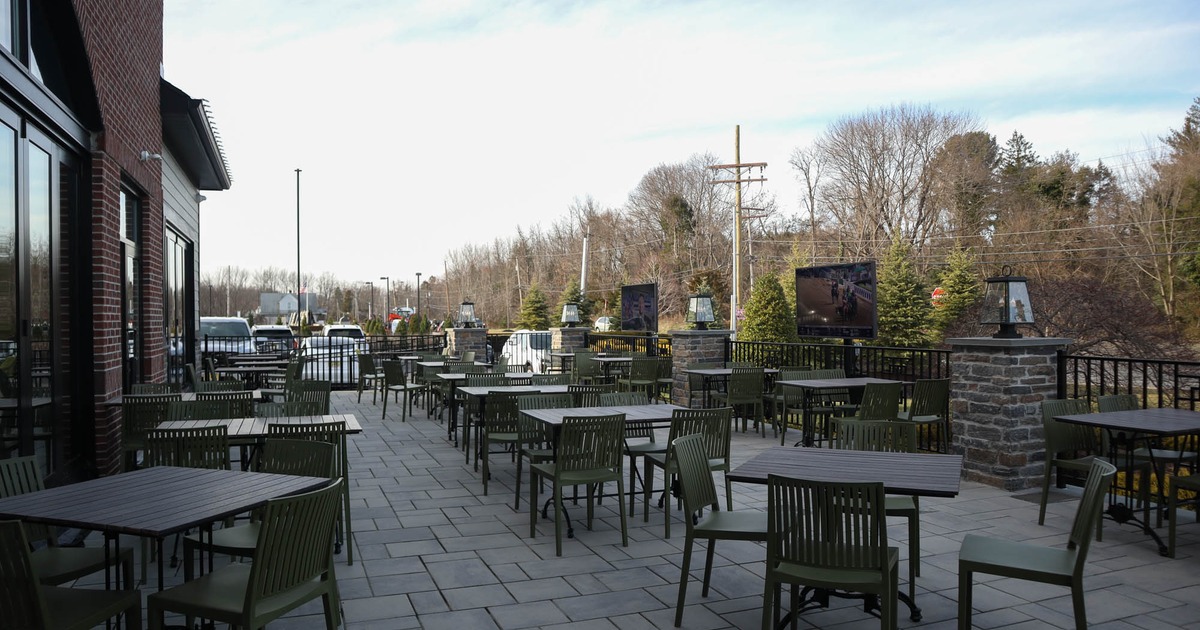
1159 383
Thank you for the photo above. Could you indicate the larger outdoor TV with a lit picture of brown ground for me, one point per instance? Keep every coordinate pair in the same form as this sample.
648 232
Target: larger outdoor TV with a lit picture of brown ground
837 302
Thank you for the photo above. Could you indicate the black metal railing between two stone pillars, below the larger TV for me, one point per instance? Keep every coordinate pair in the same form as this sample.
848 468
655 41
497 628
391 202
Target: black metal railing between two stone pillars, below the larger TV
880 362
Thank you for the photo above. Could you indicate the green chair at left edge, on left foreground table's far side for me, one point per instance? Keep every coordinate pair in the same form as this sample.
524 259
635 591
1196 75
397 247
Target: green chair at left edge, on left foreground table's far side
55 565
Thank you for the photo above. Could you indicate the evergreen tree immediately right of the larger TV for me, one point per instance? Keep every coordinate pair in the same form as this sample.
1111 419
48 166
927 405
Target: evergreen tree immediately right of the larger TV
902 301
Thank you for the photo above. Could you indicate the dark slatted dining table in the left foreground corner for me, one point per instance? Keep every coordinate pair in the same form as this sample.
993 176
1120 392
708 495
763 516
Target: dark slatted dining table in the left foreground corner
154 503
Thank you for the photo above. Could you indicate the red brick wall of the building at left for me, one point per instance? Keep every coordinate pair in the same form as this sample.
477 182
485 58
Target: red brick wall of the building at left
123 40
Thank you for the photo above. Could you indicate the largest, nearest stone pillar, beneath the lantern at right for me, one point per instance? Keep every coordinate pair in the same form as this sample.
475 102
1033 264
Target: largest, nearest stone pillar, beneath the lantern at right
997 393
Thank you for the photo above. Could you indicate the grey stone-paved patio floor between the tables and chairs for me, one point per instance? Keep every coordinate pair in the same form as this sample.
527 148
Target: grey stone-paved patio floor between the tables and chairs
434 553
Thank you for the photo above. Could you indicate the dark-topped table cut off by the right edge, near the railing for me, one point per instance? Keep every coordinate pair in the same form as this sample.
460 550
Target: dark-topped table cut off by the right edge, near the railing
1126 430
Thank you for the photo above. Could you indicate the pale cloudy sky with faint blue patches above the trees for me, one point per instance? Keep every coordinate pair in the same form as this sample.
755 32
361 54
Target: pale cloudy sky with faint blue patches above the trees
425 125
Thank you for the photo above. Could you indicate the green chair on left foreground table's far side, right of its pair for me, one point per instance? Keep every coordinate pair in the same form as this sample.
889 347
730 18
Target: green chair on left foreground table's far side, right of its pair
283 457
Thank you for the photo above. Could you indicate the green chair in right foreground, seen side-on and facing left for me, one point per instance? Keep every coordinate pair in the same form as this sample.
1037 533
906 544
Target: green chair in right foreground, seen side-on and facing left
1037 563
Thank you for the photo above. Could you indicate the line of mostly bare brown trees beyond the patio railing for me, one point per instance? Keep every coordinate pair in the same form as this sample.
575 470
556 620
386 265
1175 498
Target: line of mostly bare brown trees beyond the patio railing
1111 251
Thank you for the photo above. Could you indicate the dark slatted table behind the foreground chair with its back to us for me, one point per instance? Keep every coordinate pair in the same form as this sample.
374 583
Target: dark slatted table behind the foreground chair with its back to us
921 475
